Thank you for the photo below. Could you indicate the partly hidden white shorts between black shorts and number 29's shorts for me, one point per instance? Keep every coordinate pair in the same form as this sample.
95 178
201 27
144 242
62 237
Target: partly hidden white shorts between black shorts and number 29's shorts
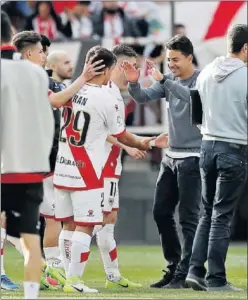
48 204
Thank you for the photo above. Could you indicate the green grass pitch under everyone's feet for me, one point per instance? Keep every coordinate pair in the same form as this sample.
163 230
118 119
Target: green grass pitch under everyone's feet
142 264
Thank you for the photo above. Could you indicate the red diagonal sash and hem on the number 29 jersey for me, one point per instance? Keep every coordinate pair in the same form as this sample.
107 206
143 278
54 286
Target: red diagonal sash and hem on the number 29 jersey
79 153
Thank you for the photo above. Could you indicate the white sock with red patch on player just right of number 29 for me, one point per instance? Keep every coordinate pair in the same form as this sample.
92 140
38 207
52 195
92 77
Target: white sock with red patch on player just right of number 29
107 246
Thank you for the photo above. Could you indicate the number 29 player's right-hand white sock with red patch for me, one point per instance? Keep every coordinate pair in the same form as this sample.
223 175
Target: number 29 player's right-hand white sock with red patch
80 251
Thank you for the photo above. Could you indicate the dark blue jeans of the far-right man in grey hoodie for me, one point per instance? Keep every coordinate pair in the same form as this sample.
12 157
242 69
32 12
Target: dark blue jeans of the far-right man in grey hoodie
223 168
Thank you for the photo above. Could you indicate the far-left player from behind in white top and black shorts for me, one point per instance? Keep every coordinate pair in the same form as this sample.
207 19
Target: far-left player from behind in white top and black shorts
25 146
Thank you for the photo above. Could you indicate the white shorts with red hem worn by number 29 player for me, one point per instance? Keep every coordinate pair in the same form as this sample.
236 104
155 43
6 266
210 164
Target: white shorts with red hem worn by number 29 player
85 207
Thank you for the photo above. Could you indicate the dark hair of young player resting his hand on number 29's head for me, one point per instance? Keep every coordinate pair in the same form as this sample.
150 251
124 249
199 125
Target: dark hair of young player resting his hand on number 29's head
26 38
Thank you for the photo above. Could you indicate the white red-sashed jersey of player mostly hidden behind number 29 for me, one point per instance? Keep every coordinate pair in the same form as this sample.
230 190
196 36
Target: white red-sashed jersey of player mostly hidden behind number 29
113 165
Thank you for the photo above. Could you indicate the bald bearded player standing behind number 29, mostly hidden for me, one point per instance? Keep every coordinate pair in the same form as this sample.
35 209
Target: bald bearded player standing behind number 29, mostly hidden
61 62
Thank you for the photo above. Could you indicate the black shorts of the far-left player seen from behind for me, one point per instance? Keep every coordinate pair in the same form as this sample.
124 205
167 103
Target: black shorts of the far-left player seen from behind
21 203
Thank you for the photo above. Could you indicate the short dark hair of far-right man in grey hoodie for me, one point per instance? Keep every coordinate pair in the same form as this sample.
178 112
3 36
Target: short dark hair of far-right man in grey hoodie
237 36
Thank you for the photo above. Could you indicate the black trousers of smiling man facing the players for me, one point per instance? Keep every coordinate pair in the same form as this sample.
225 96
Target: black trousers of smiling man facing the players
178 183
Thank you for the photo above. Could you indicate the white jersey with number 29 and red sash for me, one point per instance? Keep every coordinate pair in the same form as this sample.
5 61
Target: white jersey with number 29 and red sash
85 123
